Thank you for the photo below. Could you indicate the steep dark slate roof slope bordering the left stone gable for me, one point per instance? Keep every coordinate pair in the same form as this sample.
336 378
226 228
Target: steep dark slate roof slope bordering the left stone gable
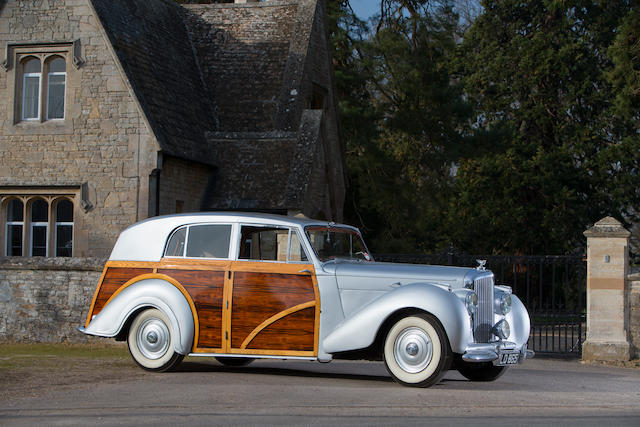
153 46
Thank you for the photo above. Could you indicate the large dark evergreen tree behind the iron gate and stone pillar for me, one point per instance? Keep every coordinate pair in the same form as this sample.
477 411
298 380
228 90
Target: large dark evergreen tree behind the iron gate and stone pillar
551 155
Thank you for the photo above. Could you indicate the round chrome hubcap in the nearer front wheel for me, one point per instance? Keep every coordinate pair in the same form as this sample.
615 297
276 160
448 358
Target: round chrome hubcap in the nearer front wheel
413 350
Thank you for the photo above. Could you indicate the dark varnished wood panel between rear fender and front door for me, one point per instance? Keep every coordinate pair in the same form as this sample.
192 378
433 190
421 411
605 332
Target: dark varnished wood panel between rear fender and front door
206 289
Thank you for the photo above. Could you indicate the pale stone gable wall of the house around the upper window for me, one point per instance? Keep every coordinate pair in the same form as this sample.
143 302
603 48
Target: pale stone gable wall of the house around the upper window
103 141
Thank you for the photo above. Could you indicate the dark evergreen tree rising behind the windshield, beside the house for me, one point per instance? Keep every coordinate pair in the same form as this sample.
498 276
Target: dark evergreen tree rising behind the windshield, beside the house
400 115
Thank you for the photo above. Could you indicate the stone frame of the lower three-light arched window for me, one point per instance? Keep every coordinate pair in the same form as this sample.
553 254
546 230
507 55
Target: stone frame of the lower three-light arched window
52 197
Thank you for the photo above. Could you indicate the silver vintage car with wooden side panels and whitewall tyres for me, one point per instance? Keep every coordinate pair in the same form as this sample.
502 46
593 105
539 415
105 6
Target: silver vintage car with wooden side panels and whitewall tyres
243 286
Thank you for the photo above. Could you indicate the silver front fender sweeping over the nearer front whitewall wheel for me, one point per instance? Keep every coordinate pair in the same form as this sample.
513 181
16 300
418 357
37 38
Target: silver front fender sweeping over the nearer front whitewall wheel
360 330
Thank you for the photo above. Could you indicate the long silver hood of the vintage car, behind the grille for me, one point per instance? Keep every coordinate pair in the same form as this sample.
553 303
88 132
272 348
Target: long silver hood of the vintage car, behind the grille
382 275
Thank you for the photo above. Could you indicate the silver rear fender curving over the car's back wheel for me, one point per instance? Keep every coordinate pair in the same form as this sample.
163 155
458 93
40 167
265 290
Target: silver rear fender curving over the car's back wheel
155 293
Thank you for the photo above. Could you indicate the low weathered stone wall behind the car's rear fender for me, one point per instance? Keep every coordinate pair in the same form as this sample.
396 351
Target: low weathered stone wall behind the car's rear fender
46 299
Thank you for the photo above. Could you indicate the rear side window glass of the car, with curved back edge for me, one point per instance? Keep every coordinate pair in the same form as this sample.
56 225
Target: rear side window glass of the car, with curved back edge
201 241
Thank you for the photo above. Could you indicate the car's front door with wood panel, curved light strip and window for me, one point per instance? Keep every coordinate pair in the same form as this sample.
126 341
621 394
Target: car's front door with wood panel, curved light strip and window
275 303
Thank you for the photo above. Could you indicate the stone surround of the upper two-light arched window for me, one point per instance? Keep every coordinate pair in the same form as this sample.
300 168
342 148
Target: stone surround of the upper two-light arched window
16 53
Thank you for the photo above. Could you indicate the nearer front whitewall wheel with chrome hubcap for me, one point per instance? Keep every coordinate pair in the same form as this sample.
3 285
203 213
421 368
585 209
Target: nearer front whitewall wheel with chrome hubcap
416 351
